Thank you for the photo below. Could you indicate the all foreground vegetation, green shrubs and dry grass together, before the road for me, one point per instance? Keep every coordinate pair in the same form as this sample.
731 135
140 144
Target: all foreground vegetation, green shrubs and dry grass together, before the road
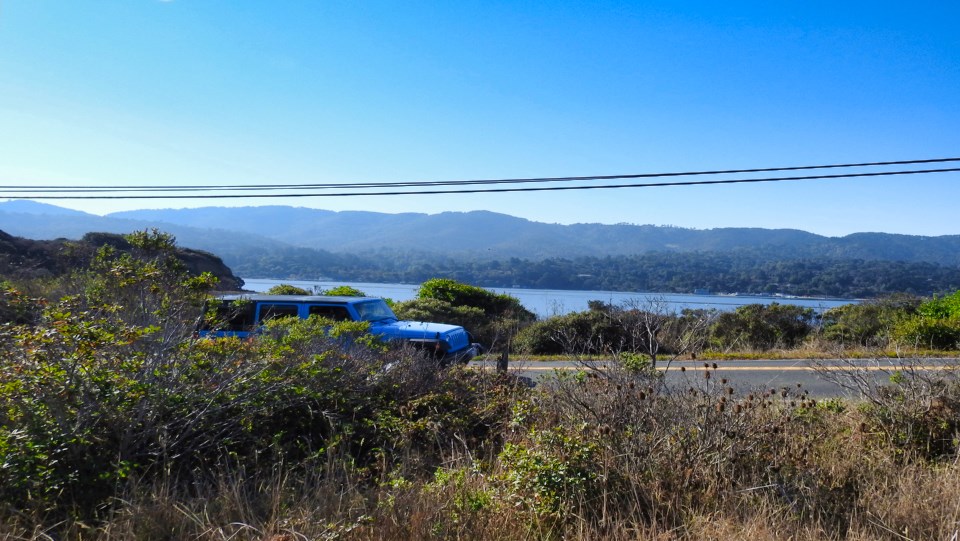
116 424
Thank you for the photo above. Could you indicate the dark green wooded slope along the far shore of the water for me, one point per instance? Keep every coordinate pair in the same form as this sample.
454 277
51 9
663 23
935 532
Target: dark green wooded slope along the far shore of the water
748 272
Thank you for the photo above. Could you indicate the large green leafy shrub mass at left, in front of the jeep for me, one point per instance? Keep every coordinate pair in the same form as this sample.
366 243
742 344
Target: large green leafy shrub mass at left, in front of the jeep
106 387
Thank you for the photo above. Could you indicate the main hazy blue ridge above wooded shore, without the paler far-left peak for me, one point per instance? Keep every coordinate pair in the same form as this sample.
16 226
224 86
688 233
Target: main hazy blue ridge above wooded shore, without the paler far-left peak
488 235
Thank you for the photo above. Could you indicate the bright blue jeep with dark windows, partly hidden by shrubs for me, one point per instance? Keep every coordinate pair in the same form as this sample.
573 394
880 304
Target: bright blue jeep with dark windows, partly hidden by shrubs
241 315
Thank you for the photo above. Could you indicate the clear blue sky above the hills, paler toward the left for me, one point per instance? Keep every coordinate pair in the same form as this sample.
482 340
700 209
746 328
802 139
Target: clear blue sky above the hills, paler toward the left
151 92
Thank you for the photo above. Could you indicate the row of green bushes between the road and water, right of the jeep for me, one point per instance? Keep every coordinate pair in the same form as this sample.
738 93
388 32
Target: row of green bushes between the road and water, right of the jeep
901 321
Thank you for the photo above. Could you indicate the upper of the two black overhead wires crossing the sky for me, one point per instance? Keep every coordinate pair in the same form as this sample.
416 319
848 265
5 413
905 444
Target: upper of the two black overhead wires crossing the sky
413 184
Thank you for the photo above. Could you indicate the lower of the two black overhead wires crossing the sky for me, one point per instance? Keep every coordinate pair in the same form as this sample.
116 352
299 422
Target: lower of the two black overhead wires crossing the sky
503 190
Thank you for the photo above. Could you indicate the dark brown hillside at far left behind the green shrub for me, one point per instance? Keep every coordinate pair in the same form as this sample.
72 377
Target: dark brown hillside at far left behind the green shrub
25 258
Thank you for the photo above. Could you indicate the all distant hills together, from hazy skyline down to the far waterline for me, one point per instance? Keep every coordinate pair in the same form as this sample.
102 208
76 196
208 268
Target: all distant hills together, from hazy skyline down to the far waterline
497 250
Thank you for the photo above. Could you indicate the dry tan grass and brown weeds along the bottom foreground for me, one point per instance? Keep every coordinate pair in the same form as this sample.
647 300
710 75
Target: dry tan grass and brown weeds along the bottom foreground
615 455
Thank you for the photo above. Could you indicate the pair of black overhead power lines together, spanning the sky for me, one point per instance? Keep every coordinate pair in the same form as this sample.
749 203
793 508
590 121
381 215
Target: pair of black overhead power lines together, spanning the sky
113 192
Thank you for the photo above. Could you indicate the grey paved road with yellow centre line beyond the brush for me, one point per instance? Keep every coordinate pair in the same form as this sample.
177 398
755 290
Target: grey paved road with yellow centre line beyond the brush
752 375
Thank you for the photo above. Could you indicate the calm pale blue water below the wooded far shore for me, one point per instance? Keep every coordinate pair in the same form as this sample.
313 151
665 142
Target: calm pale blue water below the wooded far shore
549 302
